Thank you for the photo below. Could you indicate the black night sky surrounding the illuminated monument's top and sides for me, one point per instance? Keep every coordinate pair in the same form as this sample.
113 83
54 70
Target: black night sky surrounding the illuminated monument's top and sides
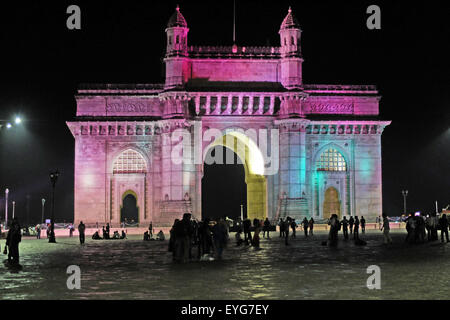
42 62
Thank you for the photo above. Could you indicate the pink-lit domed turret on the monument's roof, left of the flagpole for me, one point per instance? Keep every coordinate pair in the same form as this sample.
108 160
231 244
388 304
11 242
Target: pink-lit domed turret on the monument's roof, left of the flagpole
176 50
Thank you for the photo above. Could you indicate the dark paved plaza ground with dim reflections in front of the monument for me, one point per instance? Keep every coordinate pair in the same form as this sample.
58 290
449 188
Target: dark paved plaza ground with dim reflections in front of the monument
134 269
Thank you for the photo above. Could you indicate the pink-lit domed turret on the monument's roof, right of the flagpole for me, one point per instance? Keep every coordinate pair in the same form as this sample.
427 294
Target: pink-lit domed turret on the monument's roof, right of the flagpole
291 56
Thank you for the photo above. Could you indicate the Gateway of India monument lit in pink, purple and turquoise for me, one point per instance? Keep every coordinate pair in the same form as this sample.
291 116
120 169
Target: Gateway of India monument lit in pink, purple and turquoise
329 136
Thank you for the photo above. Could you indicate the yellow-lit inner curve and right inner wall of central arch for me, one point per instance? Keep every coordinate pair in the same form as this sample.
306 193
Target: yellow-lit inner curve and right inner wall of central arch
253 161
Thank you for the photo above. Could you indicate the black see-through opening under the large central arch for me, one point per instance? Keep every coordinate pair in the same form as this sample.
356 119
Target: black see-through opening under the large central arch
223 187
